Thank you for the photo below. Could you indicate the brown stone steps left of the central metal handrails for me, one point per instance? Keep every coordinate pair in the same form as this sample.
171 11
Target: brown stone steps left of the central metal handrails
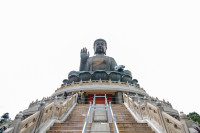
74 122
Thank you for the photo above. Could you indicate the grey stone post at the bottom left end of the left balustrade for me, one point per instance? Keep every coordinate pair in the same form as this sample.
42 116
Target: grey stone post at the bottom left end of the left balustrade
17 122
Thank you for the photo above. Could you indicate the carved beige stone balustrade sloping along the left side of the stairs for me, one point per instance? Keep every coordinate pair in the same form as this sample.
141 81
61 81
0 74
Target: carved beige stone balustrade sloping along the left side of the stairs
45 113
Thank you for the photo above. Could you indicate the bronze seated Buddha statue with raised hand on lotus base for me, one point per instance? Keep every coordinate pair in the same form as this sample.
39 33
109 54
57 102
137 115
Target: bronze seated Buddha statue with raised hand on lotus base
99 66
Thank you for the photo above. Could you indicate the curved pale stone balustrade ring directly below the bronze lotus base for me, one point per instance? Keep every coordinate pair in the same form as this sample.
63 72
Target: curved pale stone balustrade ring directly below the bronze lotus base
100 85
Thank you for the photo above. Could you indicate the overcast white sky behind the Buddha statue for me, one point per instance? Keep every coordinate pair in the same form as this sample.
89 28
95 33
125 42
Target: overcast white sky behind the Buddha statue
159 41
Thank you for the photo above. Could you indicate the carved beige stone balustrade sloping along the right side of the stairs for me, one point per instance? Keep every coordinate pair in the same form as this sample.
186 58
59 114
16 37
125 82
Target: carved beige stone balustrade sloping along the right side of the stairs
156 115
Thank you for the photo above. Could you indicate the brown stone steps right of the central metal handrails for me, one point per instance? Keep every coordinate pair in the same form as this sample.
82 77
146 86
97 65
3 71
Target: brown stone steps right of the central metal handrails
126 123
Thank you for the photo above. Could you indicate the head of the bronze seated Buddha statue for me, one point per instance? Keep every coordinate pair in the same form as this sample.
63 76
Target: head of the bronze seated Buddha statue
100 46
